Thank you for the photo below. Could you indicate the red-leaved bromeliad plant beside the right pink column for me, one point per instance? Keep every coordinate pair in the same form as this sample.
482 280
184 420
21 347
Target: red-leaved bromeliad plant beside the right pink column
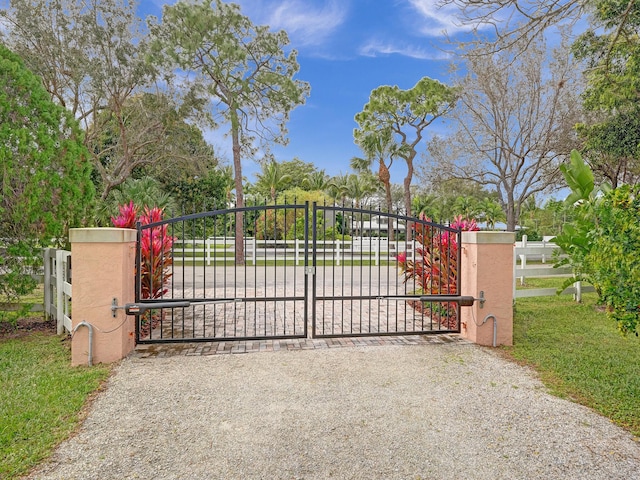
435 268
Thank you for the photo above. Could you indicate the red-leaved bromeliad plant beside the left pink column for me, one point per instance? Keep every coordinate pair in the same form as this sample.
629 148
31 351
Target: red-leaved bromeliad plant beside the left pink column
155 249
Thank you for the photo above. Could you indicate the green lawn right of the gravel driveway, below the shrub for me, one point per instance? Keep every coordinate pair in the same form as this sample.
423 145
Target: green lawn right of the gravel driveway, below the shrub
580 355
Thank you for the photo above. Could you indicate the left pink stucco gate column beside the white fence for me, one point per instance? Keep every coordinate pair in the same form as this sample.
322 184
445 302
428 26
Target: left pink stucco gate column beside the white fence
103 268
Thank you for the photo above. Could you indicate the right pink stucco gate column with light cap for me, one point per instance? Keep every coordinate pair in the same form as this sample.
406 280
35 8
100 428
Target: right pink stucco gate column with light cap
487 265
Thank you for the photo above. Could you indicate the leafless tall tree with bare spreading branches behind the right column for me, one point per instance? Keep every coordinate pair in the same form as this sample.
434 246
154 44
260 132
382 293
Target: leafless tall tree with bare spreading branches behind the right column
514 125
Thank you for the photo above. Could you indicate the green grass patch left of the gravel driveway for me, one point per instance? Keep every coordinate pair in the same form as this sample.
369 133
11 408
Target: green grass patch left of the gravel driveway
41 399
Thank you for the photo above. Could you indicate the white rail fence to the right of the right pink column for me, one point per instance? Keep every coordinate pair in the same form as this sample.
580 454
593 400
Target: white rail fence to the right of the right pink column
543 255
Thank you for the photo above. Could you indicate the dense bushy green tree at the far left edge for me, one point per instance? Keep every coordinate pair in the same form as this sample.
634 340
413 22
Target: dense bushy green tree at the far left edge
46 185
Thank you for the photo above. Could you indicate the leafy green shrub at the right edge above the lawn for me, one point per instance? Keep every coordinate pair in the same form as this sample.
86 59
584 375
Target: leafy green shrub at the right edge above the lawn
602 243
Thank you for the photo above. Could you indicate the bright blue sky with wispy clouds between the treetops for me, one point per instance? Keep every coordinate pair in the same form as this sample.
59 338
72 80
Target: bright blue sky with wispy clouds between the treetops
346 48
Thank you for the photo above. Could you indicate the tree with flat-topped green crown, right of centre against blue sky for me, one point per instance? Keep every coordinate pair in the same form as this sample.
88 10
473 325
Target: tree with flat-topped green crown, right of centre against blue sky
406 113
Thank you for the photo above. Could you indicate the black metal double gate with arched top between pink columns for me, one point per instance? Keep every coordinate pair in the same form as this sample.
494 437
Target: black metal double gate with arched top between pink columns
297 271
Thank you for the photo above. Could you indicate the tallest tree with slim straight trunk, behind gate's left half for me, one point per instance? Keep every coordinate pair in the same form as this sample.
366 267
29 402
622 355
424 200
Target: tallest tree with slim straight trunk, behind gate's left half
241 67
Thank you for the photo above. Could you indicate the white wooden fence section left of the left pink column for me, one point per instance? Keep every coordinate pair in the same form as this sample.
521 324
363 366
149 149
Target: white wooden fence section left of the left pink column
57 287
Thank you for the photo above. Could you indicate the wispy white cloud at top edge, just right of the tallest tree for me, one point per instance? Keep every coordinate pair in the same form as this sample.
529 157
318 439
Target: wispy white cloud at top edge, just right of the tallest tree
306 22
